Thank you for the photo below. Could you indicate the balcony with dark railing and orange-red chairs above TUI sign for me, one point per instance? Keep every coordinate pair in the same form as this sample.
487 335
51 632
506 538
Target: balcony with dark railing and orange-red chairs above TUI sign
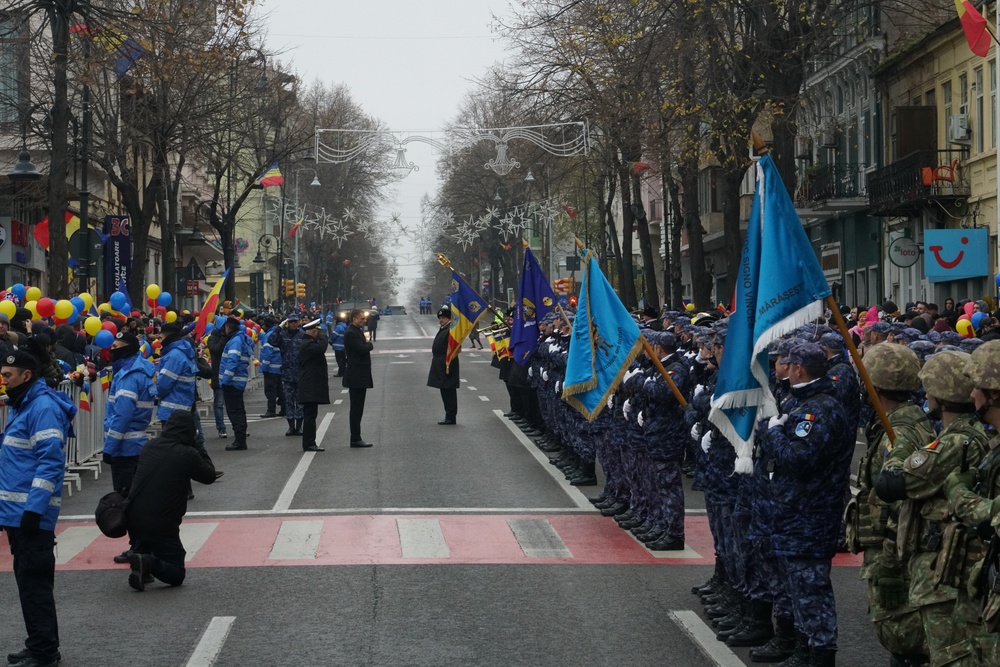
913 182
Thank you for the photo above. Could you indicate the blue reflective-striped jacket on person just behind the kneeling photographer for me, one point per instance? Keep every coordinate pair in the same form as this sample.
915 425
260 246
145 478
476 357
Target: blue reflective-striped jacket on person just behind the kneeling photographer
130 407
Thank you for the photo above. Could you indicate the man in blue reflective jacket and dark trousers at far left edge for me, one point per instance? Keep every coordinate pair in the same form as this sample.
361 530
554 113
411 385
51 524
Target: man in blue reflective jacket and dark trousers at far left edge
32 467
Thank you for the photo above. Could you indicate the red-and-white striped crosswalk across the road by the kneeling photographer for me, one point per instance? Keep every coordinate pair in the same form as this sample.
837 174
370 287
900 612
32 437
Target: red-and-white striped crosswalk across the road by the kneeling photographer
387 539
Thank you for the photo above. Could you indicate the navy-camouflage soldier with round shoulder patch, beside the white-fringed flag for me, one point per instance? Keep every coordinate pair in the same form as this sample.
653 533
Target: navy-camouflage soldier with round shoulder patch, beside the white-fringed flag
811 449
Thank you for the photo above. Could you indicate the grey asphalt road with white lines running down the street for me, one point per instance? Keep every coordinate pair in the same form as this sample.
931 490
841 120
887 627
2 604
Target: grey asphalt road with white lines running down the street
439 546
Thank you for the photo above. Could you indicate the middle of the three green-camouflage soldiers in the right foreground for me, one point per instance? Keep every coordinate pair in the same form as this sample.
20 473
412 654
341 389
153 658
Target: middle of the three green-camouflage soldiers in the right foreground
940 552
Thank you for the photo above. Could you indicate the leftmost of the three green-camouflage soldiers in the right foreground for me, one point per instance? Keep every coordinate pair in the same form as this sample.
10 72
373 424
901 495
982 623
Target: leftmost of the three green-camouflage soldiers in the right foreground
894 372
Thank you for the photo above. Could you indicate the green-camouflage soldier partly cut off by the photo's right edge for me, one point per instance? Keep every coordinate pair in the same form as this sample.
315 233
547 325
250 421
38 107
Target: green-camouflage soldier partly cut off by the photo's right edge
973 497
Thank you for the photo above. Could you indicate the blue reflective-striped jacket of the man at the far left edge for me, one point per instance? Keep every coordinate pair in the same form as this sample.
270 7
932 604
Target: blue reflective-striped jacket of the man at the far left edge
33 456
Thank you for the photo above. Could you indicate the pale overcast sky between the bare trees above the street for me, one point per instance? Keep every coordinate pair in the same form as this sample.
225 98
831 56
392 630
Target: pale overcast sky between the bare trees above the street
407 63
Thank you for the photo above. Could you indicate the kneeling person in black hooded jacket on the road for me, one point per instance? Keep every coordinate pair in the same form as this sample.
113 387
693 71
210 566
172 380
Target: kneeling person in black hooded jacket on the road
158 501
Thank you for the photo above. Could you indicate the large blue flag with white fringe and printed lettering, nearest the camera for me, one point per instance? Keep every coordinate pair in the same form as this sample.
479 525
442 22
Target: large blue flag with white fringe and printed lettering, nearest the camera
779 289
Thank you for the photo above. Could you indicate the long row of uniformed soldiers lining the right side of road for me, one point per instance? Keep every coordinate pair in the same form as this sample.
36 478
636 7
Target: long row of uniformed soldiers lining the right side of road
776 528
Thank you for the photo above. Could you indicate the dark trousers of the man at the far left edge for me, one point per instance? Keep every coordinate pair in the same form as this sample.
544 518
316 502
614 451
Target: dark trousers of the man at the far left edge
34 572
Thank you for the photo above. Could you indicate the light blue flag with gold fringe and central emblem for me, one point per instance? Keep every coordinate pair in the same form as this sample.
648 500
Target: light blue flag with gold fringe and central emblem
605 341
